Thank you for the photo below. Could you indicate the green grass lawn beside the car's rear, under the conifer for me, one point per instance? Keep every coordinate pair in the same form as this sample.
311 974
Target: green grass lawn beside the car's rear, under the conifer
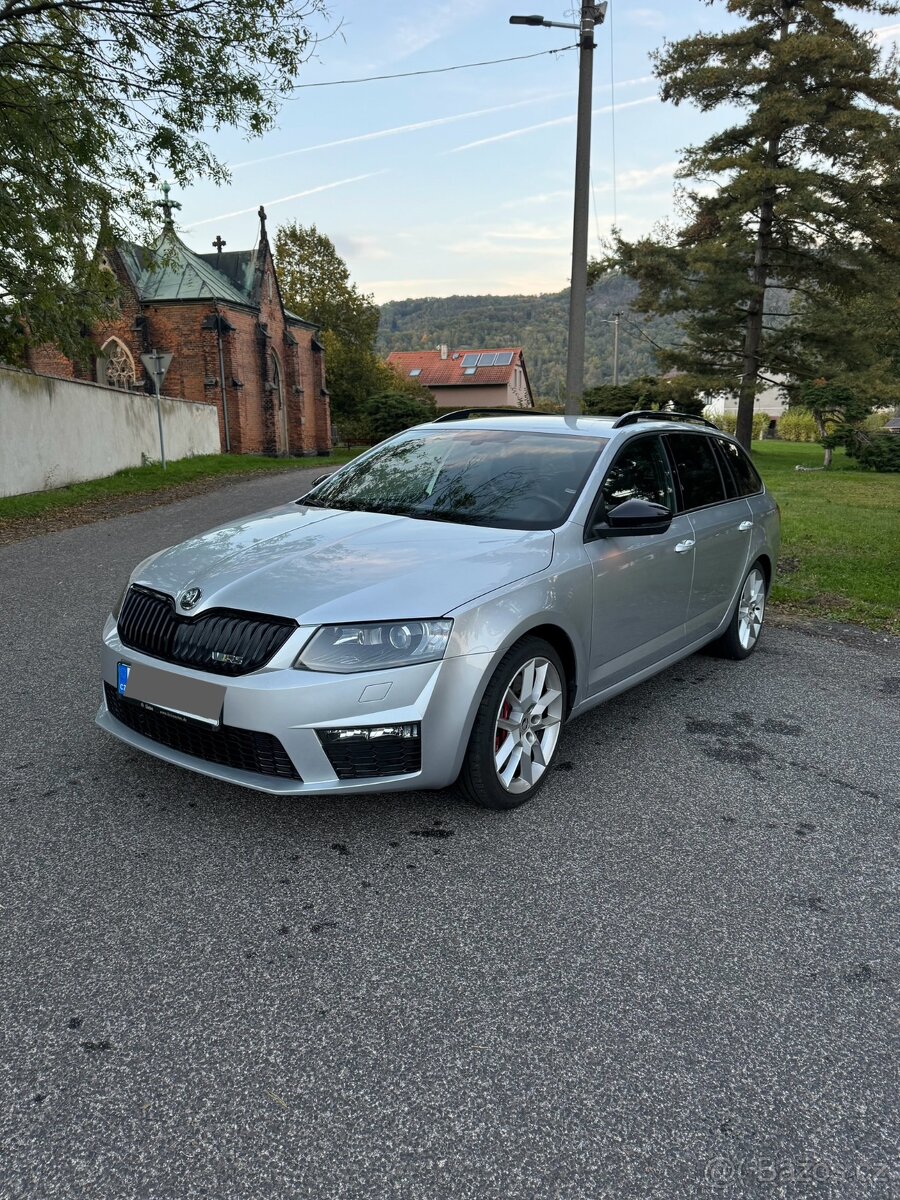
841 536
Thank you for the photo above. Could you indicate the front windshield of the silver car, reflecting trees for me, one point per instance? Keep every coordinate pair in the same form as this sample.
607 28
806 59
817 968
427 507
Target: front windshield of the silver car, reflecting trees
506 479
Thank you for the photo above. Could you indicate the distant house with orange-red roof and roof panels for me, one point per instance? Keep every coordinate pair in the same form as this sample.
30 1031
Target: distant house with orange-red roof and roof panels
469 379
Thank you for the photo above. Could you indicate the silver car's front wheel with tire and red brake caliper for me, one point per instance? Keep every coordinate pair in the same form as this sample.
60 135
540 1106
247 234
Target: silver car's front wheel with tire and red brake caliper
517 733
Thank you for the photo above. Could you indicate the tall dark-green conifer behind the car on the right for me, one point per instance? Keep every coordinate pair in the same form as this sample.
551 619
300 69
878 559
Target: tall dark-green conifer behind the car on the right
806 187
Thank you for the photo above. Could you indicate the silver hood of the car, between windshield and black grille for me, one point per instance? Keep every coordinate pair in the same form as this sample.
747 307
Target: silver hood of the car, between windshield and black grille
326 566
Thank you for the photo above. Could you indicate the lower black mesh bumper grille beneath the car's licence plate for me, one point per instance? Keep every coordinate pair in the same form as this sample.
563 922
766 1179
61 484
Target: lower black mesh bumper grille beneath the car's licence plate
243 749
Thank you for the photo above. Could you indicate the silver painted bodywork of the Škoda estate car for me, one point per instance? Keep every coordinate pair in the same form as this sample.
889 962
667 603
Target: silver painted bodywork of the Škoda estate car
627 607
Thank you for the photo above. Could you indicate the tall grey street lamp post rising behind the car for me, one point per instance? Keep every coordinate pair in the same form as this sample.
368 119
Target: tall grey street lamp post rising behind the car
592 15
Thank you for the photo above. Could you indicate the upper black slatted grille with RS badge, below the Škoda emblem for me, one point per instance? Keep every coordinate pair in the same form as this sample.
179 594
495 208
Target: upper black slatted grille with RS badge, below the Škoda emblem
221 641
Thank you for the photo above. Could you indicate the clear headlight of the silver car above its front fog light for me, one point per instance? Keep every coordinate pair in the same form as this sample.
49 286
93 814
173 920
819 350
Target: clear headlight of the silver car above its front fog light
373 647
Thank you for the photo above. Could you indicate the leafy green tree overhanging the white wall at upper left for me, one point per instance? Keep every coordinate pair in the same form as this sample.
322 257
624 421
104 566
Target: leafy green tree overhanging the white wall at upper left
100 99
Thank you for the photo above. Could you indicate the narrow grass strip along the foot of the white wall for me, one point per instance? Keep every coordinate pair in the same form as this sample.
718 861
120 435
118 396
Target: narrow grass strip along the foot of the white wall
154 479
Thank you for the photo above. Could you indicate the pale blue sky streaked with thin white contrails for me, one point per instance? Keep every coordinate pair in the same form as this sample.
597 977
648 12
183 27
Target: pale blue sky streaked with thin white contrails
461 183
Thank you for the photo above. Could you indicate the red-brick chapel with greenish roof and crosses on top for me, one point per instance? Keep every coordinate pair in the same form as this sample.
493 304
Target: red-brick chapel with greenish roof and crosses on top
233 343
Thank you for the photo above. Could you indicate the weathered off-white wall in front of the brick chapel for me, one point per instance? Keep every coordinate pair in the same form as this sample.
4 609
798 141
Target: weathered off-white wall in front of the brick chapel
61 431
